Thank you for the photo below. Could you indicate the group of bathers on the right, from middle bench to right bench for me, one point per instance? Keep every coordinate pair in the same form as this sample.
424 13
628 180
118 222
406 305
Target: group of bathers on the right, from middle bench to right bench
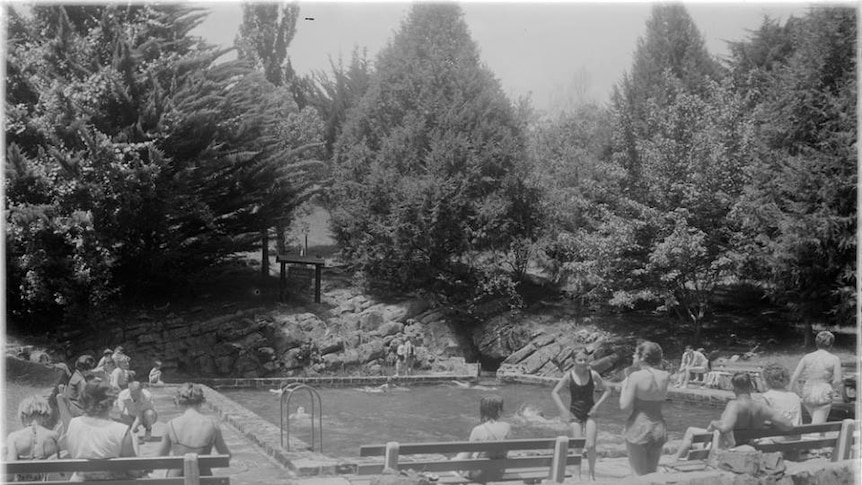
644 391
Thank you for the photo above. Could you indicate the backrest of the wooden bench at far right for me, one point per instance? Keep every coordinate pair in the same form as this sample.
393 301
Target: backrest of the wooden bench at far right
840 438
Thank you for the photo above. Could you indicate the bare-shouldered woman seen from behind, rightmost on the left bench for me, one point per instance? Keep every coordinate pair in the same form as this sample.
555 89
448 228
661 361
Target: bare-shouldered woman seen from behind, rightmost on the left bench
192 432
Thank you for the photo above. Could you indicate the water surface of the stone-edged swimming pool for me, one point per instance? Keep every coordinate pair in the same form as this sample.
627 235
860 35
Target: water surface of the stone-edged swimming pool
354 417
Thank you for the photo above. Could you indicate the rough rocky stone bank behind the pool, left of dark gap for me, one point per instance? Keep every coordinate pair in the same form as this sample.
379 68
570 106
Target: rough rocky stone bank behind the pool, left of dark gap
358 336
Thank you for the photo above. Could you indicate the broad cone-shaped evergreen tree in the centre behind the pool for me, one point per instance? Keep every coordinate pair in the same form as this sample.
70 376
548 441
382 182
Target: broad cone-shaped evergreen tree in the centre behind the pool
430 165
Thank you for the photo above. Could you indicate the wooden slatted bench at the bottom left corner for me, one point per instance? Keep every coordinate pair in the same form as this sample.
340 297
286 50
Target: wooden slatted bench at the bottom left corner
190 464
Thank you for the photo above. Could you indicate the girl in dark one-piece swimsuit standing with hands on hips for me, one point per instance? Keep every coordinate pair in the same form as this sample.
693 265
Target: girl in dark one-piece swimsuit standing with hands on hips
582 382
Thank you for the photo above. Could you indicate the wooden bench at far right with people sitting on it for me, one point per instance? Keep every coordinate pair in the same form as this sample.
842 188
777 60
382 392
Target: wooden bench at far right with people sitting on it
837 435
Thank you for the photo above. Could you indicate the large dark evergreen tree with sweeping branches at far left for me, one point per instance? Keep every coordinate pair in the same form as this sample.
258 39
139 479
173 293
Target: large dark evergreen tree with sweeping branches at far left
134 158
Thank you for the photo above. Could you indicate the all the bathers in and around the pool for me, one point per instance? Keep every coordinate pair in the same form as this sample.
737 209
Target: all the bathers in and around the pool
99 409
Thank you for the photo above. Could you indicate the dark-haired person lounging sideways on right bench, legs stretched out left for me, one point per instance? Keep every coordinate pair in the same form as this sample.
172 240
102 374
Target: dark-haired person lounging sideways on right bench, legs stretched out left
740 413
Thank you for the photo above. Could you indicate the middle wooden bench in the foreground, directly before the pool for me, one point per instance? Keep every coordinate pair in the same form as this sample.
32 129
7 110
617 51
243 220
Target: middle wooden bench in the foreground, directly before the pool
559 453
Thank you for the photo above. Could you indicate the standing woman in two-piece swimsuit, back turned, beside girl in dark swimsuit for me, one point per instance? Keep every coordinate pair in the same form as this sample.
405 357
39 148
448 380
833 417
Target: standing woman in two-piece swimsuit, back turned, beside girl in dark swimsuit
641 397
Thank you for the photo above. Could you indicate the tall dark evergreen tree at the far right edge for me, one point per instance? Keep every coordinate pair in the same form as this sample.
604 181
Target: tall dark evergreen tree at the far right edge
799 208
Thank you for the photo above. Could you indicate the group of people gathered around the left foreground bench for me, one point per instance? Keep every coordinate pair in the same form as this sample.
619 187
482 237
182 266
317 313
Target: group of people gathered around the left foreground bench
99 410
